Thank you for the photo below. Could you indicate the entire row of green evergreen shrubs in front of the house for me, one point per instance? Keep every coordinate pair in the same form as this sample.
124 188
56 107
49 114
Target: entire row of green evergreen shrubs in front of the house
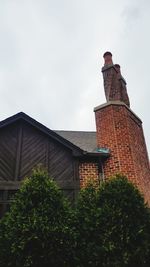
108 227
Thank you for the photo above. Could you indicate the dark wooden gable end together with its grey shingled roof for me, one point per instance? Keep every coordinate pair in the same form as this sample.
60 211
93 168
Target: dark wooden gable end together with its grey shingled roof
25 144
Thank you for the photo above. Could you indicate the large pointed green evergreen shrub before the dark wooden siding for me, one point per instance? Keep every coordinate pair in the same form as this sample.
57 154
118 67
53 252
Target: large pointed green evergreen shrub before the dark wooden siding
36 232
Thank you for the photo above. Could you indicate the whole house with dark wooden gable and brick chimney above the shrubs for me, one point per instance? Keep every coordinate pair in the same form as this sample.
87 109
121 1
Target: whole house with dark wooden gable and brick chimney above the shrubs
74 157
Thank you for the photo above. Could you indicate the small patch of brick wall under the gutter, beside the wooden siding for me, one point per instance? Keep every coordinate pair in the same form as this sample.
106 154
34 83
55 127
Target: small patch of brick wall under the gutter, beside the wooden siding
88 171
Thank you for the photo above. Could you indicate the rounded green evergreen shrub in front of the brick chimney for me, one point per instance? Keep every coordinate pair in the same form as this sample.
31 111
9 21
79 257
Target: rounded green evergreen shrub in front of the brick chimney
124 224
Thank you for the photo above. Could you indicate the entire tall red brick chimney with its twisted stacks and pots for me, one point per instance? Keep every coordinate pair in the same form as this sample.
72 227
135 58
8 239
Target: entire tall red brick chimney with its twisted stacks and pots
120 130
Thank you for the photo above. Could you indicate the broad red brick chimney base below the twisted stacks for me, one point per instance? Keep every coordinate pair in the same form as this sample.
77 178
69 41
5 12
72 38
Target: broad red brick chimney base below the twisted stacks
120 130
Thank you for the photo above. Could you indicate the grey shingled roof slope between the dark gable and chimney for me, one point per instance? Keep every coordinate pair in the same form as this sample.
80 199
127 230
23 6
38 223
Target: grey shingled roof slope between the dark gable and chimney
84 140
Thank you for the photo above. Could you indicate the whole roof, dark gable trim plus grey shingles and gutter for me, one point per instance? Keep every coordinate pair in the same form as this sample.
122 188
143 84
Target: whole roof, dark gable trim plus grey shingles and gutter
81 143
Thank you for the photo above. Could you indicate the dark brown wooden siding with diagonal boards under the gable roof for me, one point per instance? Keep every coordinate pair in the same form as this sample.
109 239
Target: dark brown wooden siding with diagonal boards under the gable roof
23 147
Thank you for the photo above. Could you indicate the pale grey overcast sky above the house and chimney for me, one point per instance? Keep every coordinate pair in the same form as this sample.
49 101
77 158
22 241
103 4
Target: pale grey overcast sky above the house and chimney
51 54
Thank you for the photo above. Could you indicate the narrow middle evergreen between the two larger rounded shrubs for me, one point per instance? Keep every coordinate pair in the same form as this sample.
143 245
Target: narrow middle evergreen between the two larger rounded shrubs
87 214
